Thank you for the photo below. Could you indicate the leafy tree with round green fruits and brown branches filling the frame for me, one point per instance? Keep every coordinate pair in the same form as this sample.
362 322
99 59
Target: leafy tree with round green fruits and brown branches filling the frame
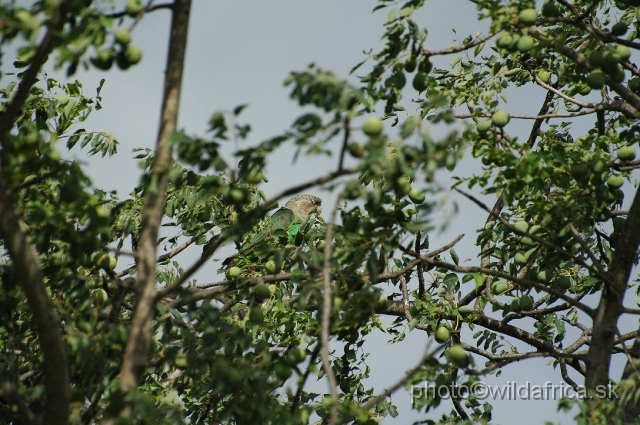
85 342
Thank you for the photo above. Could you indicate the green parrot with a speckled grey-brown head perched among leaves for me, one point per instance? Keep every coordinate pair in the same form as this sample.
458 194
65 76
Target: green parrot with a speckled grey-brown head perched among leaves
290 219
